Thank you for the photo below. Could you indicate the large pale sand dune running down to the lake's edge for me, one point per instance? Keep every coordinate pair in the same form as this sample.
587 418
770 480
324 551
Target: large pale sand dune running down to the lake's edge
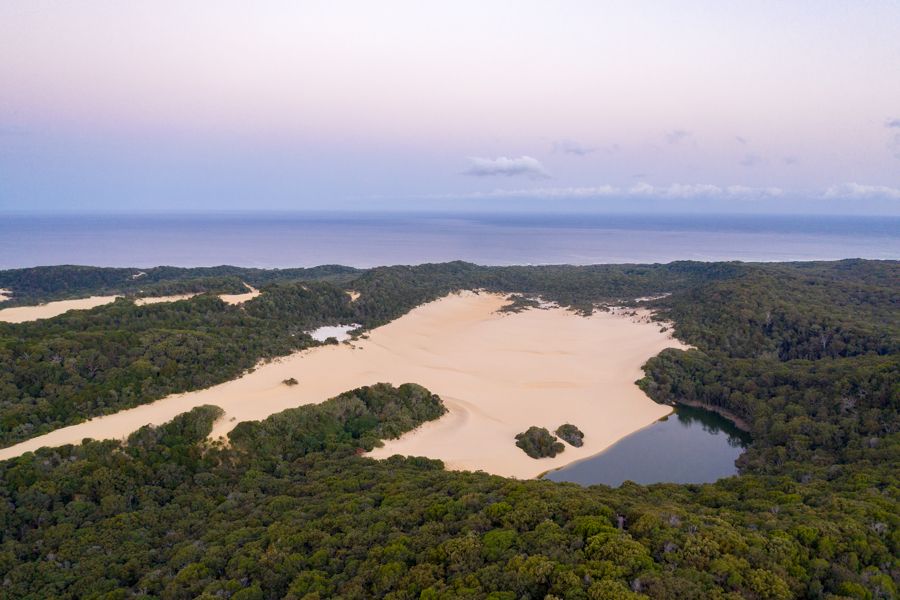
497 373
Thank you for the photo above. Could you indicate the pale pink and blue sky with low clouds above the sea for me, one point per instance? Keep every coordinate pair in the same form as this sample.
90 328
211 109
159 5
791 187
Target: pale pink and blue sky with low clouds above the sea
703 106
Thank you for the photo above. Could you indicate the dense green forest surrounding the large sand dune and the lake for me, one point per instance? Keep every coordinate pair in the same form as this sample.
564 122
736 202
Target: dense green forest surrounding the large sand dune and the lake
805 354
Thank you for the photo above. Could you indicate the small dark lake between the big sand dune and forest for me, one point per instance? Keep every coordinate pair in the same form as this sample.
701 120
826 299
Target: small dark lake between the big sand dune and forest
691 445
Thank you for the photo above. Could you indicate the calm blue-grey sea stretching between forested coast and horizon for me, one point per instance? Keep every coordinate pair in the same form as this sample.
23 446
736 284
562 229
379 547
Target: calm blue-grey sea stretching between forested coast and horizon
365 240
